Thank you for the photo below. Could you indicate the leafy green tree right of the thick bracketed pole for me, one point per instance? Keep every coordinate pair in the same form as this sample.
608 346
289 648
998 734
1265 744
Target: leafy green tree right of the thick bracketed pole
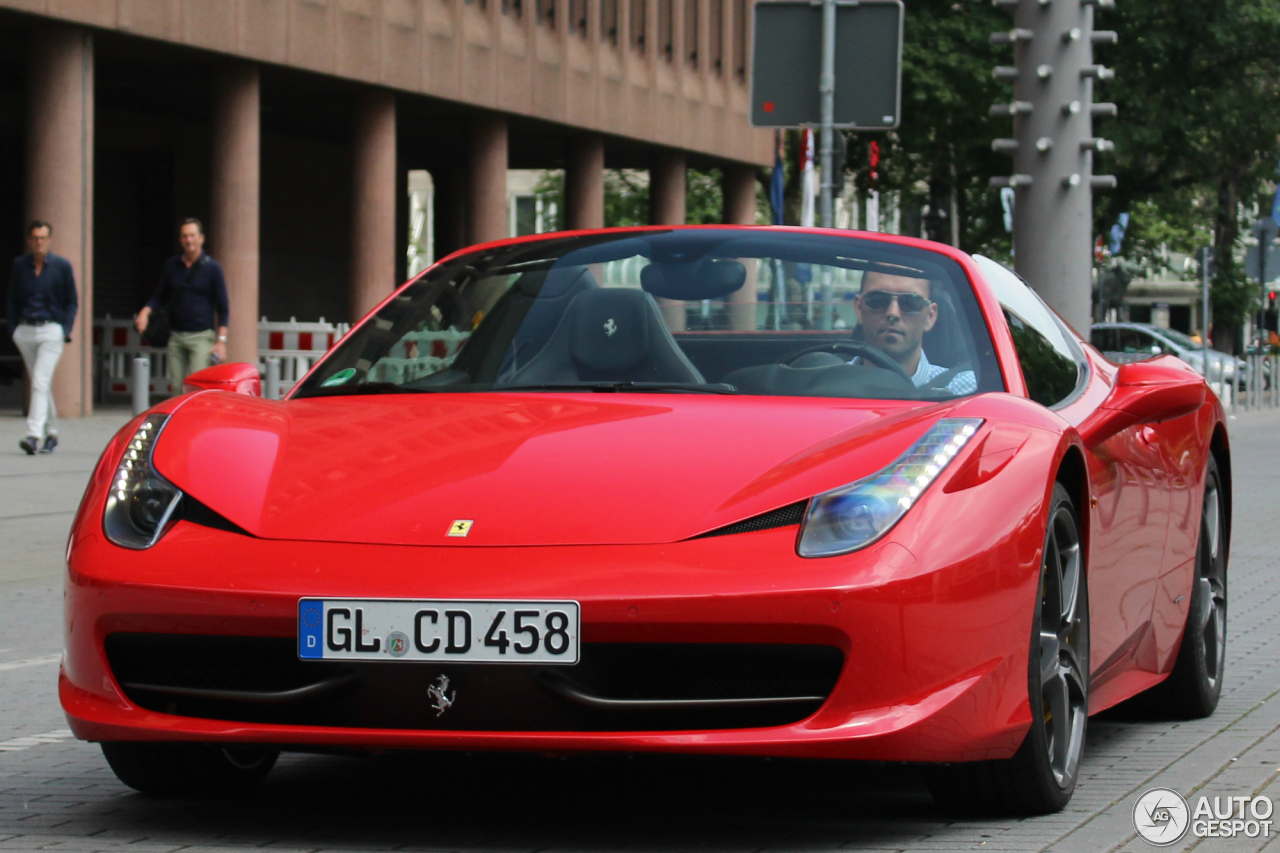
1196 85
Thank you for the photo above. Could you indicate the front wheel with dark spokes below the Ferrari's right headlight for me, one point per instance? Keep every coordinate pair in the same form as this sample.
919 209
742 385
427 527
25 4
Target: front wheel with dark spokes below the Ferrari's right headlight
1041 777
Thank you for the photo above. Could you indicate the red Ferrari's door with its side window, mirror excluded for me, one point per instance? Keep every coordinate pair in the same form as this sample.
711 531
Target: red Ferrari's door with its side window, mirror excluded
1128 481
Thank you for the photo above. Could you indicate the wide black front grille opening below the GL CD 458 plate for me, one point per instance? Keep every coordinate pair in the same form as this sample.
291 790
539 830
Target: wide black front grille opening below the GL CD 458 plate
618 687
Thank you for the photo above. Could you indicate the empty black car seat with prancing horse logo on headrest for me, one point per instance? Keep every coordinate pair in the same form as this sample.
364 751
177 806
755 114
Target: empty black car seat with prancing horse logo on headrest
610 335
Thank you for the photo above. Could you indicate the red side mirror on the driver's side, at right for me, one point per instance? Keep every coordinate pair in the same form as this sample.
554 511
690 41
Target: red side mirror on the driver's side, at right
1146 393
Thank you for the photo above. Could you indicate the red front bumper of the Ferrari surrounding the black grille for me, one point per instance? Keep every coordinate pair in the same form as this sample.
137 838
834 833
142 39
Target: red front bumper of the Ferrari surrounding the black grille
934 631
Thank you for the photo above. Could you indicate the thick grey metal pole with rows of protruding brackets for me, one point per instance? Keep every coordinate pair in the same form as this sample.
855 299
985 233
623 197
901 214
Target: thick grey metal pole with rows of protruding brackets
1054 147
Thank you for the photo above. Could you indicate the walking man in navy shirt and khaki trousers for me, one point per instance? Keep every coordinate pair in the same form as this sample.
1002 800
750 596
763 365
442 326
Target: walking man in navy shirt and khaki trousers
195 291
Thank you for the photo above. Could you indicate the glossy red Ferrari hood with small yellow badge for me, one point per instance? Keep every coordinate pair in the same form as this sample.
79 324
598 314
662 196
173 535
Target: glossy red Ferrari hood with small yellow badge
527 469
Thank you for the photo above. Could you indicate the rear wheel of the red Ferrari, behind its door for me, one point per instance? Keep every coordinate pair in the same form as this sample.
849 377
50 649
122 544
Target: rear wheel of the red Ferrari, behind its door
1194 688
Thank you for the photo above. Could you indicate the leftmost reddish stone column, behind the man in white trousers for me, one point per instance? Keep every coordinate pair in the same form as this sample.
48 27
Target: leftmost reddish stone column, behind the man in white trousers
61 186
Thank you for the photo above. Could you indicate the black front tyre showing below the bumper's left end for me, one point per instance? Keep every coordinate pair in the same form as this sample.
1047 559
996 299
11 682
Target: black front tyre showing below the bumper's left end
189 769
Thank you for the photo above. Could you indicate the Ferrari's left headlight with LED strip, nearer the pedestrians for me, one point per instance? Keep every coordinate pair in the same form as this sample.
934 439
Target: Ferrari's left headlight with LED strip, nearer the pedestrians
141 503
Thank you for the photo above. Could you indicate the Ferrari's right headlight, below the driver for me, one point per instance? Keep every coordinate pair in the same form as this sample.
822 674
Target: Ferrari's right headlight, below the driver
857 516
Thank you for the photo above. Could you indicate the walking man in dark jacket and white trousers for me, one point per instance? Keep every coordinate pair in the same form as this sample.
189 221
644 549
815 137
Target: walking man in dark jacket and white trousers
43 305
